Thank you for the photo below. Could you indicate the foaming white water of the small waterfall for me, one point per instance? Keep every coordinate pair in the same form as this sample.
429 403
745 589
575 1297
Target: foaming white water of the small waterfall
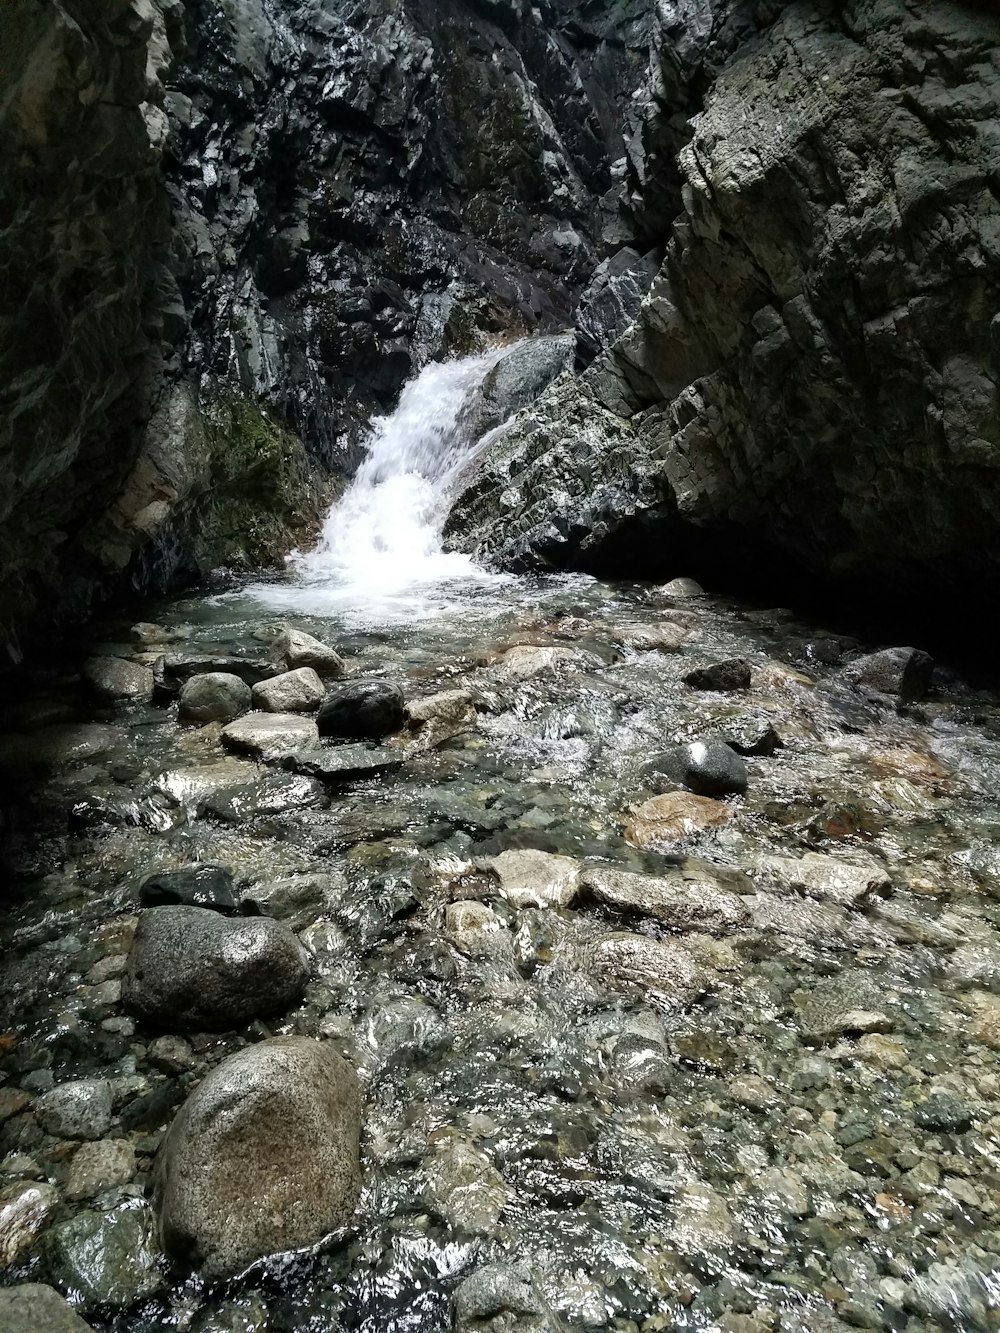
381 554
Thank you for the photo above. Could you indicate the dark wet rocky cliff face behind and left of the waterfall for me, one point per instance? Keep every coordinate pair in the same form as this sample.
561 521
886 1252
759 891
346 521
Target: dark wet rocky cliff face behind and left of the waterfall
231 233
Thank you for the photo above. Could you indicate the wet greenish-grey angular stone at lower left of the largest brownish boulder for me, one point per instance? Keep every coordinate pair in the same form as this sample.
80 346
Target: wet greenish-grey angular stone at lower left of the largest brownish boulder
106 1259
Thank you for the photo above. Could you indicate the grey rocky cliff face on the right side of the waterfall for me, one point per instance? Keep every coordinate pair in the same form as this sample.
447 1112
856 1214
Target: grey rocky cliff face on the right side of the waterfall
815 366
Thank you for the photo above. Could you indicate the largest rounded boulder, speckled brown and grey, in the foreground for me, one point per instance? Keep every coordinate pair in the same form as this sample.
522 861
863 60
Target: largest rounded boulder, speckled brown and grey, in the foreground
263 1158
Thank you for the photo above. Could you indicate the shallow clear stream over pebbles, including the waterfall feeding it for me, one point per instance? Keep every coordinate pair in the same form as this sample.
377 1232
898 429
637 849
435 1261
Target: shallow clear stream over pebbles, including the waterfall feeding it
737 1071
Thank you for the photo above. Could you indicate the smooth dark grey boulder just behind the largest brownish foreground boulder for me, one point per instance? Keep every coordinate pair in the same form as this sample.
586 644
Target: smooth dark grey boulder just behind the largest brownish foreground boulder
193 970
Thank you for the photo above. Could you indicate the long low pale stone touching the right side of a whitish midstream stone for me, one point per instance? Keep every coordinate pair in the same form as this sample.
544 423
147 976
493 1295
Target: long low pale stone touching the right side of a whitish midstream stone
683 903
